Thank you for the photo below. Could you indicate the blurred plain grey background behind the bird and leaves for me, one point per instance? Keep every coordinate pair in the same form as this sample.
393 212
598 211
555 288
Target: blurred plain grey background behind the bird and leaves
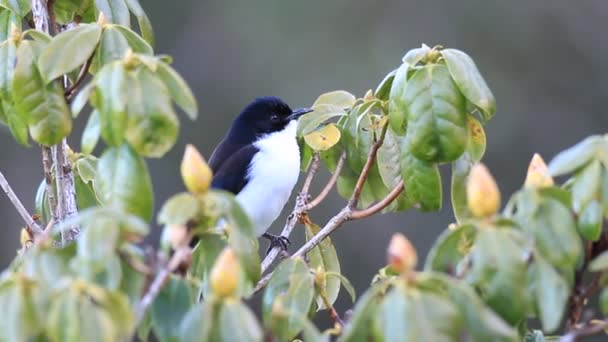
544 60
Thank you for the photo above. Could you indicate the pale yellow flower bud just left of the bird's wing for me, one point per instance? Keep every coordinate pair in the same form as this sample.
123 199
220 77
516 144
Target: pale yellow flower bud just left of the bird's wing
196 174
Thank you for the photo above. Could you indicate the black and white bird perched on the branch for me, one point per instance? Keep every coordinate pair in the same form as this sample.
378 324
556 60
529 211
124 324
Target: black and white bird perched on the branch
259 161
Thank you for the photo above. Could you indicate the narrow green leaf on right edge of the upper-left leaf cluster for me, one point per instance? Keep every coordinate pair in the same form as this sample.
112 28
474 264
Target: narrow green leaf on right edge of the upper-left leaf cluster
178 89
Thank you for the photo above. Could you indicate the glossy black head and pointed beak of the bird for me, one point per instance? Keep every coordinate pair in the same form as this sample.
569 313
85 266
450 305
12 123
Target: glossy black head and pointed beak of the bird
267 115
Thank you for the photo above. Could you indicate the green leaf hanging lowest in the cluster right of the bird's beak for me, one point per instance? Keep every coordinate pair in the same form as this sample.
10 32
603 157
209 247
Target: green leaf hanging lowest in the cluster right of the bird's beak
422 181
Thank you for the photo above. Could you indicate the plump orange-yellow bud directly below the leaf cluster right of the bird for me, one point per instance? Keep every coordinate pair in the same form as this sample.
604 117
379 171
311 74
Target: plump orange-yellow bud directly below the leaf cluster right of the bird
483 196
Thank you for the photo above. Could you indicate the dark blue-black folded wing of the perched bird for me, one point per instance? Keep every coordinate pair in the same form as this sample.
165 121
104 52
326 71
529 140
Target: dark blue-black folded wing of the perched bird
232 174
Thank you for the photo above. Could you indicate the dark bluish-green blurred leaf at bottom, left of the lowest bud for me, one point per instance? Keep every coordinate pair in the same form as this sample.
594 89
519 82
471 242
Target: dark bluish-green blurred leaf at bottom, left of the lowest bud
169 309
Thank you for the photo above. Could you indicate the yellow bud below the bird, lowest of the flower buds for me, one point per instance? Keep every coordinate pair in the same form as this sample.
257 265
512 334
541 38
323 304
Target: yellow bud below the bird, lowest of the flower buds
225 273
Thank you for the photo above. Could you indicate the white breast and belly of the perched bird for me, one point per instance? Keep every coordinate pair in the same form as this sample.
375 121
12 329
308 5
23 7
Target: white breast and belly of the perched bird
272 174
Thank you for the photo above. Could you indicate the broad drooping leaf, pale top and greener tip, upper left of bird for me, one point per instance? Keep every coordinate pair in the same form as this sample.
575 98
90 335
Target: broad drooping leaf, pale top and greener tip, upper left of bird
152 126
